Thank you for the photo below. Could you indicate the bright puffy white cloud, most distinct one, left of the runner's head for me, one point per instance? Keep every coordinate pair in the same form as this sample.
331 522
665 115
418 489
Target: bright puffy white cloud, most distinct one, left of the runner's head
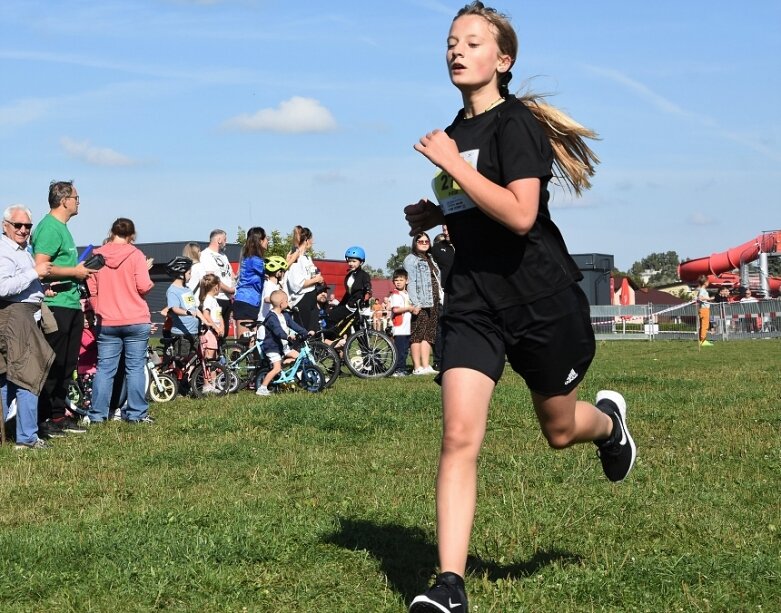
295 116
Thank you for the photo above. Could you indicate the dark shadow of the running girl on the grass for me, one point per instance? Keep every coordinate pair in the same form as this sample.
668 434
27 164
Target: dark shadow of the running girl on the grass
409 559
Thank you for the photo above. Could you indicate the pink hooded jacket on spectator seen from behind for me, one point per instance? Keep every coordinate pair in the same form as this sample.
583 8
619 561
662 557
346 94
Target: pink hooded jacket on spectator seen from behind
117 290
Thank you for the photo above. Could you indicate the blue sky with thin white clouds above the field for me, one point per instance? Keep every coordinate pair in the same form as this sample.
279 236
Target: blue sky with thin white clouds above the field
189 115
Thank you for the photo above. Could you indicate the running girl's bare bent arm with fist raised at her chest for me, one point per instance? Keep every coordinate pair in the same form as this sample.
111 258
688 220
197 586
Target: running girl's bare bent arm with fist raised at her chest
514 206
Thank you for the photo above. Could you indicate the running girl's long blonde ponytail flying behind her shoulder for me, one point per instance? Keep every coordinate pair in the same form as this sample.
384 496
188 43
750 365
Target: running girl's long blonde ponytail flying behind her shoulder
574 162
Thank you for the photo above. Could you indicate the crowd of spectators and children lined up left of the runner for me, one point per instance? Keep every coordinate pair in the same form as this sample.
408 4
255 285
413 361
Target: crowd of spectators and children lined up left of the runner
63 313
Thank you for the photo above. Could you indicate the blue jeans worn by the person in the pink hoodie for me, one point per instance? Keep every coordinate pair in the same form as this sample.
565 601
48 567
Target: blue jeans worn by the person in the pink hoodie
113 341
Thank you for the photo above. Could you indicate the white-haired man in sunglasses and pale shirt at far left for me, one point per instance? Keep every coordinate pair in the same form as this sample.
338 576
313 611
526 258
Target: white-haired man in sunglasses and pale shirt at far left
25 356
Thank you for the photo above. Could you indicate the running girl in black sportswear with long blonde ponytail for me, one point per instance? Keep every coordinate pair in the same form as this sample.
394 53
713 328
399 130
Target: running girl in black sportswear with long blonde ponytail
512 294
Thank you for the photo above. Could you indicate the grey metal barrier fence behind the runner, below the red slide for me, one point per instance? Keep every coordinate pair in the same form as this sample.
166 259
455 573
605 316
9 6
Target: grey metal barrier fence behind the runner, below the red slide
729 321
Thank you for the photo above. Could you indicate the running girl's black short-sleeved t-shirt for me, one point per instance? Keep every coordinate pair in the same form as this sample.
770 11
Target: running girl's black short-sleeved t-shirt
493 265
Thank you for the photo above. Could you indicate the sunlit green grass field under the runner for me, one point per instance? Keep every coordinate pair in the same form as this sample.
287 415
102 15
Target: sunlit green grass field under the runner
324 502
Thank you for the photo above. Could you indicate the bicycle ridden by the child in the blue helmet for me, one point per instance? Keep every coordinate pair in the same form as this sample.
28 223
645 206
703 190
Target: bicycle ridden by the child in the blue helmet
367 353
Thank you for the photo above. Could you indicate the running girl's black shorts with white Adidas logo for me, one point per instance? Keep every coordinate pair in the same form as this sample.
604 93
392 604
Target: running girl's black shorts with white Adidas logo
550 342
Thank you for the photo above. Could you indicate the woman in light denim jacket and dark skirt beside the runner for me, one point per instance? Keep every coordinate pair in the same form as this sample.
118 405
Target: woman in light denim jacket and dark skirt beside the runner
425 292
